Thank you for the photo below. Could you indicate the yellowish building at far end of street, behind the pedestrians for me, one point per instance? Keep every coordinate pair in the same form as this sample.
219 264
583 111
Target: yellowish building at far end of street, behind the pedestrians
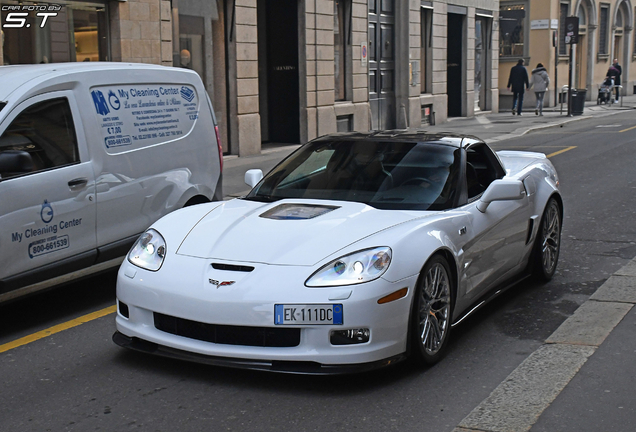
527 30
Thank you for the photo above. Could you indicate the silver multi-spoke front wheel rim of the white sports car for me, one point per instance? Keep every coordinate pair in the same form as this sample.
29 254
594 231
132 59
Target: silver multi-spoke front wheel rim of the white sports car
434 313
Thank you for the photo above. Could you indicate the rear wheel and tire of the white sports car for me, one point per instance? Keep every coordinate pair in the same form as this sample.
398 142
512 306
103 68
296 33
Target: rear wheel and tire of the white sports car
548 242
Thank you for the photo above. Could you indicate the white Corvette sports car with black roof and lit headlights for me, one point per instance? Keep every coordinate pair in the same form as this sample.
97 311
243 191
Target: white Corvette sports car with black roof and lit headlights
355 252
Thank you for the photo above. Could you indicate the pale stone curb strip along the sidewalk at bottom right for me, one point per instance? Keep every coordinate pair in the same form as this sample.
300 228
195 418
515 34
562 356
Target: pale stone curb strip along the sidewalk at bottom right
518 402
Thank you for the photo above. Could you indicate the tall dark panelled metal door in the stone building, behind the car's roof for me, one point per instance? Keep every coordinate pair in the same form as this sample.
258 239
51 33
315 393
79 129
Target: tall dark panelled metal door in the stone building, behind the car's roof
382 63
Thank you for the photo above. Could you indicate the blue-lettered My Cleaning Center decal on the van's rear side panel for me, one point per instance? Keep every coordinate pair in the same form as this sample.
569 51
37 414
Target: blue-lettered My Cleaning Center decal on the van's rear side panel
136 116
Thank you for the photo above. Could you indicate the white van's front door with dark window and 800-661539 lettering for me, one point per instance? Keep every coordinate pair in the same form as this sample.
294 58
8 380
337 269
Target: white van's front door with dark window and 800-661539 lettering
47 215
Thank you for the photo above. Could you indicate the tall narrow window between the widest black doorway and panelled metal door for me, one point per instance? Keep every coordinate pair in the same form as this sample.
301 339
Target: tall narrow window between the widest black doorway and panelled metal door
341 46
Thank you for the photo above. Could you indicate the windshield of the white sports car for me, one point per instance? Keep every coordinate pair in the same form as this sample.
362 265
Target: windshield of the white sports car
383 174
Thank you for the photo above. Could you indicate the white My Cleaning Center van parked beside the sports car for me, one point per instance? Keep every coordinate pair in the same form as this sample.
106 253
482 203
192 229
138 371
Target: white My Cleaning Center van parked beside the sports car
91 154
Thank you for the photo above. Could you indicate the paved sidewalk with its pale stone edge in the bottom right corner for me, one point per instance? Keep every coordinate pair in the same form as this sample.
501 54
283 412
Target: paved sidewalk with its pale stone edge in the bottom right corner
581 379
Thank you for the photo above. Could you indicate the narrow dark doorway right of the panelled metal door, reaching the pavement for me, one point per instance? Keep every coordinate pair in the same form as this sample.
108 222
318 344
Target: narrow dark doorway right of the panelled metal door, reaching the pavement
454 64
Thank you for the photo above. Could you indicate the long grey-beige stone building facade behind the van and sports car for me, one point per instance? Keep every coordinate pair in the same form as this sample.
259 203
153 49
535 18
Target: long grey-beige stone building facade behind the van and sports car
287 71
